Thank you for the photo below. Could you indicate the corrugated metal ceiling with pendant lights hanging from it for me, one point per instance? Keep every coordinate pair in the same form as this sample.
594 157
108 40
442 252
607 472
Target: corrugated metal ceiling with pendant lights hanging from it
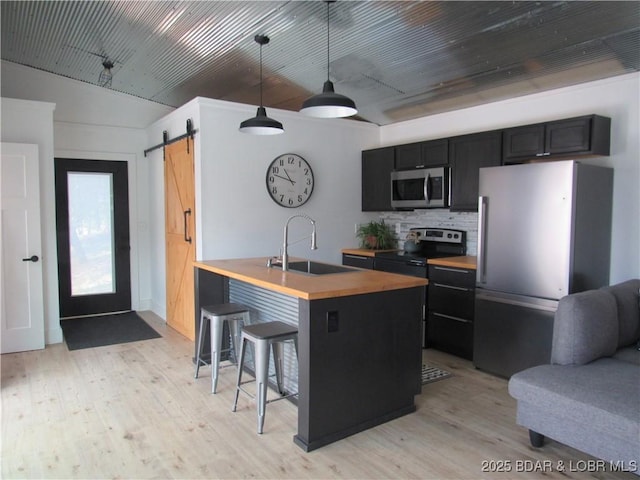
397 59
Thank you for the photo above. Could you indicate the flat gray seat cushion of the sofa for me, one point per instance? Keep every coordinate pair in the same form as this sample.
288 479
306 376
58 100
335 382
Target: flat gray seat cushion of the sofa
604 394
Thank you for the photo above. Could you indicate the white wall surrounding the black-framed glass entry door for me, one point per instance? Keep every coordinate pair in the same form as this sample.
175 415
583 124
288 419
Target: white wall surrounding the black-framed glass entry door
89 122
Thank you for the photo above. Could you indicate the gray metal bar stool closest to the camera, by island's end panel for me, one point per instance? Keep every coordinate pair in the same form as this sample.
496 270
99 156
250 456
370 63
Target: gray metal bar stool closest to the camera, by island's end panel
263 335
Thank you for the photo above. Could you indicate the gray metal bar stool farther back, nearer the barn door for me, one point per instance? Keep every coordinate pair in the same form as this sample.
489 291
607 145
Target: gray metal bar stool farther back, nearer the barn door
215 316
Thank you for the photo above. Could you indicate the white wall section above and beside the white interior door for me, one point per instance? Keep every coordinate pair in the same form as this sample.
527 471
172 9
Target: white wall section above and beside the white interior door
32 122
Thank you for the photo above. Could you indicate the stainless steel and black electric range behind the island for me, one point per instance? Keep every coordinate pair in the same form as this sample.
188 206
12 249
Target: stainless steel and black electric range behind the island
429 243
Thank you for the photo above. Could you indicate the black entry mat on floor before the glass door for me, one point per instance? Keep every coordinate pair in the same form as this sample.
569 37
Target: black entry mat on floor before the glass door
89 332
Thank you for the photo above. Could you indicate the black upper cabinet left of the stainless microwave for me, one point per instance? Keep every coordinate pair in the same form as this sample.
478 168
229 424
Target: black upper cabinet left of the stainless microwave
377 165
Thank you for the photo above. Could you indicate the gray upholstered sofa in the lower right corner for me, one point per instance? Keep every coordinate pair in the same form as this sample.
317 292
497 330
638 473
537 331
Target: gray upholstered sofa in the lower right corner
589 396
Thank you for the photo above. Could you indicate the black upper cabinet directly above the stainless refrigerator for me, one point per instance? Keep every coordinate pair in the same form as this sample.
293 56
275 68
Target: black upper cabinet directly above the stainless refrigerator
588 135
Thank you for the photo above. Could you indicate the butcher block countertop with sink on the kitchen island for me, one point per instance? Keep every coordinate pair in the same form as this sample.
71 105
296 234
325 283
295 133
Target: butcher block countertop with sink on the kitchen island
255 272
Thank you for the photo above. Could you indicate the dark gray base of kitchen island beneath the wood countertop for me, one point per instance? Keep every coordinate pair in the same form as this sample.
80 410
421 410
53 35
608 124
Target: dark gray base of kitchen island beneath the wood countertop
359 356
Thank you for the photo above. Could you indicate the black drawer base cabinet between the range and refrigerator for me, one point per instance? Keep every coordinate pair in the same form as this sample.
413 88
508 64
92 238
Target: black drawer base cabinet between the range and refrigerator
451 307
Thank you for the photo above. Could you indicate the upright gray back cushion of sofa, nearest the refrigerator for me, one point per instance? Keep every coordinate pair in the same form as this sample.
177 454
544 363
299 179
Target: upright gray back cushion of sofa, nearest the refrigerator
585 328
